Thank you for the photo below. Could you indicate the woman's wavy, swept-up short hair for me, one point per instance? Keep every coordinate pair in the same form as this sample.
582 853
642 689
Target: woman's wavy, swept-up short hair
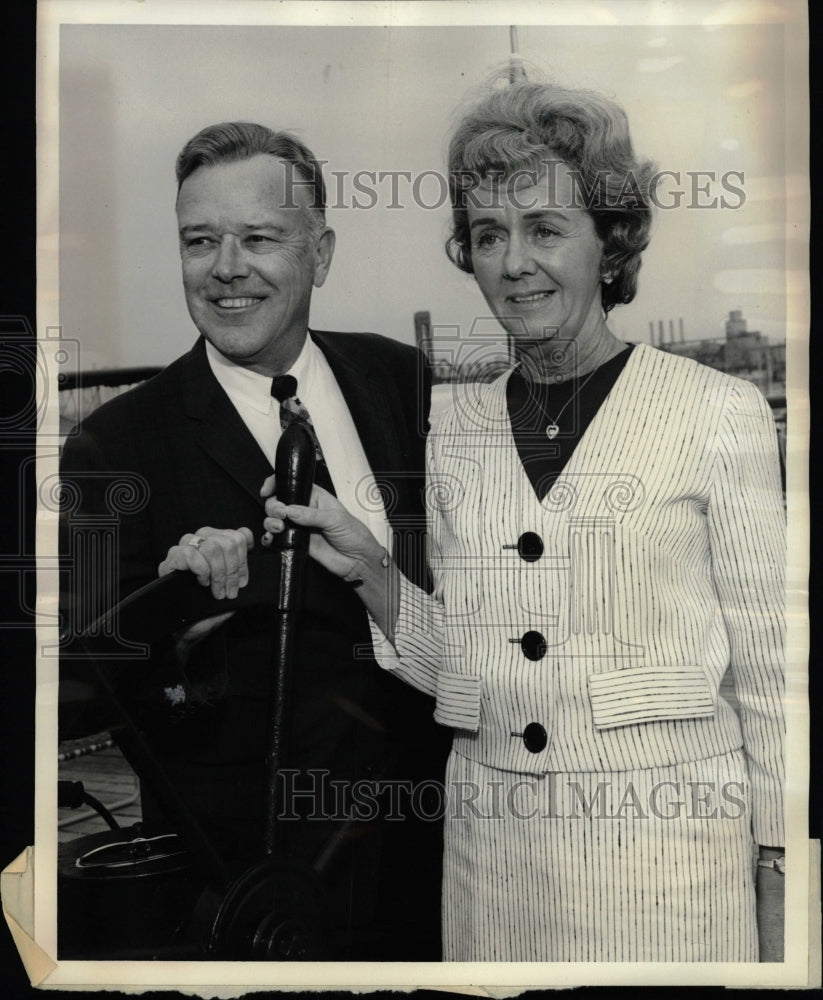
523 126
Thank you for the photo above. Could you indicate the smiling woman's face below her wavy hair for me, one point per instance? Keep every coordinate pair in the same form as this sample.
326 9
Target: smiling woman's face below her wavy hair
536 256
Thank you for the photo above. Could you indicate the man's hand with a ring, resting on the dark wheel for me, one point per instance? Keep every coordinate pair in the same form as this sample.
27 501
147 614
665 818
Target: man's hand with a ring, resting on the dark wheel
217 557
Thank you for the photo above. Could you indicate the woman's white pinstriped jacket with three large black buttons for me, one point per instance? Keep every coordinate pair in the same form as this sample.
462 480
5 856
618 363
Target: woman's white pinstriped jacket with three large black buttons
662 565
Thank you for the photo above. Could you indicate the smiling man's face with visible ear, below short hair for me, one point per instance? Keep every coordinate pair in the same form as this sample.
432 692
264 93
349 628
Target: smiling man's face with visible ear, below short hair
250 262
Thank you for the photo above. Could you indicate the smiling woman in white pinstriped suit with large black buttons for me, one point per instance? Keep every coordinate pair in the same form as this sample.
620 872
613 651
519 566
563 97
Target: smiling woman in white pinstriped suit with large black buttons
605 541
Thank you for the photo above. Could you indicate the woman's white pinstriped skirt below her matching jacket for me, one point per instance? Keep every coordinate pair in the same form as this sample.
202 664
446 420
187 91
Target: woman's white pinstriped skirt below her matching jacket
652 865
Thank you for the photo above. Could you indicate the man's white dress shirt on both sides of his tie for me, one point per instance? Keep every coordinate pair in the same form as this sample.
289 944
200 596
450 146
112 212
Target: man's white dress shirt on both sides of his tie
317 389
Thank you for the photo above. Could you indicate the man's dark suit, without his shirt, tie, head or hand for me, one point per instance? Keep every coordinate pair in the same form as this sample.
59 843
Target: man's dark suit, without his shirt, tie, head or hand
191 462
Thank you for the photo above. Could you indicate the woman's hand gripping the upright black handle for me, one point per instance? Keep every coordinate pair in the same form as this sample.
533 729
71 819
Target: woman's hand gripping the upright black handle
339 542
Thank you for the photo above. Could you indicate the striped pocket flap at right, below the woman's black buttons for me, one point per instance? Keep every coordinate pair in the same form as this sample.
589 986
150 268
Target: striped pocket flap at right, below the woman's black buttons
649 694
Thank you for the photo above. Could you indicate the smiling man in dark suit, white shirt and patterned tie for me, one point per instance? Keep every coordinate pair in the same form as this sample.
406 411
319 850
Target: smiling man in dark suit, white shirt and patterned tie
201 438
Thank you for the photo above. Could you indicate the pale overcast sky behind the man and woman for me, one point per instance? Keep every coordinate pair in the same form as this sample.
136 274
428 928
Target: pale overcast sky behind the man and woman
699 98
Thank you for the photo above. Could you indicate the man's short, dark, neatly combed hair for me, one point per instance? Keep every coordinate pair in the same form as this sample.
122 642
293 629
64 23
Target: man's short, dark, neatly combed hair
229 142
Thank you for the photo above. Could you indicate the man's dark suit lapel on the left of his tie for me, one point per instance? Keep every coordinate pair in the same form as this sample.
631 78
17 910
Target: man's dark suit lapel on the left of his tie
218 427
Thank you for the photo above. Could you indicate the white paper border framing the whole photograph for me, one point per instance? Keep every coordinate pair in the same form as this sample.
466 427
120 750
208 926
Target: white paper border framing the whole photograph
226 979
